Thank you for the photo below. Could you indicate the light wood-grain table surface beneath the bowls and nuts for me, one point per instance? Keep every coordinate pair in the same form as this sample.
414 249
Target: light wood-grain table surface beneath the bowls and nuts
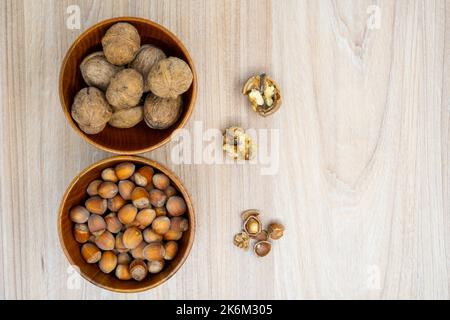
363 184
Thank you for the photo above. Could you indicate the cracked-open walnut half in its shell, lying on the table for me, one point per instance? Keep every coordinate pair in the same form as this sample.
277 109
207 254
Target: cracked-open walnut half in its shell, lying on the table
264 96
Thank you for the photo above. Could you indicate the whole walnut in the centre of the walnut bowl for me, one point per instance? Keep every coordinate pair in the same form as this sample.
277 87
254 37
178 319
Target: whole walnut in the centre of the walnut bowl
125 90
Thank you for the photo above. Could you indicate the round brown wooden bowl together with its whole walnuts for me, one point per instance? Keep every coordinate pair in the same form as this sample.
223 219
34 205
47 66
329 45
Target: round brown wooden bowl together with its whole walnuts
126 84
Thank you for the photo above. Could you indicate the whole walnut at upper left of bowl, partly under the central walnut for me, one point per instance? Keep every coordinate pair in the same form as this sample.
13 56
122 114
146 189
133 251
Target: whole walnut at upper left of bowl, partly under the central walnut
97 71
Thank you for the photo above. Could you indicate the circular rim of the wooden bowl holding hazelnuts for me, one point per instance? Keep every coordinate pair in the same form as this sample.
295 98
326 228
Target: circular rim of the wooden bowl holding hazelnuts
157 166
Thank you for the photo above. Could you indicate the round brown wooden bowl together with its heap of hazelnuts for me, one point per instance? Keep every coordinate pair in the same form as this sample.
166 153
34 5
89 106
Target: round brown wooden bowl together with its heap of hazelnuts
127 223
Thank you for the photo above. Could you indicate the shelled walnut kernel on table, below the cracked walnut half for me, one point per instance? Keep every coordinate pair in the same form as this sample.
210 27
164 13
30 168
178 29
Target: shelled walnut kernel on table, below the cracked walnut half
238 145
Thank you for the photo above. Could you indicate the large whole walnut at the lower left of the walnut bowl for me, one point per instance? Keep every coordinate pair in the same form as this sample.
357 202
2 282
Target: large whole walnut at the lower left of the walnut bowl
91 110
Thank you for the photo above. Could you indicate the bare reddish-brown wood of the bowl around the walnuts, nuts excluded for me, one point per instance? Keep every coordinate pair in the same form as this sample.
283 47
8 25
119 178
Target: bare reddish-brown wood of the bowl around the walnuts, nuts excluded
140 138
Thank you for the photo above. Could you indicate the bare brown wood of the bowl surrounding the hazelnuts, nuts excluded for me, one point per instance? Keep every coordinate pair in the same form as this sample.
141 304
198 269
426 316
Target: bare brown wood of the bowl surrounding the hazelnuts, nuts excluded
76 194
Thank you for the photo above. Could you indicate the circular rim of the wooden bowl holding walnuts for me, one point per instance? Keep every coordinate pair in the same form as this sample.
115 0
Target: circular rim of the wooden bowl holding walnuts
183 121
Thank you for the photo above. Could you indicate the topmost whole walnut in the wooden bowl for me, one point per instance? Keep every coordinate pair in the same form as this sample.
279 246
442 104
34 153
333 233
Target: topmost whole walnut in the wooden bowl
121 43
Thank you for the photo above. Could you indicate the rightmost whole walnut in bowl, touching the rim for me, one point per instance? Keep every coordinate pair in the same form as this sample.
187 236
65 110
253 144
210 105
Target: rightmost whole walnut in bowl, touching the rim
169 78
